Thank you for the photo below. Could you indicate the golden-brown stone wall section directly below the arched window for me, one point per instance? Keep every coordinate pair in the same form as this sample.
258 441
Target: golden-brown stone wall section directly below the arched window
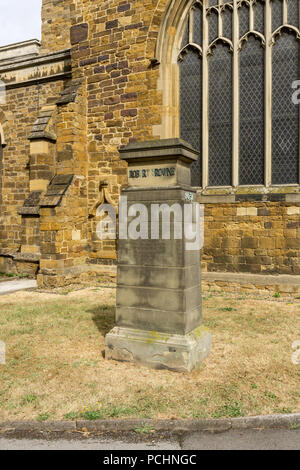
255 238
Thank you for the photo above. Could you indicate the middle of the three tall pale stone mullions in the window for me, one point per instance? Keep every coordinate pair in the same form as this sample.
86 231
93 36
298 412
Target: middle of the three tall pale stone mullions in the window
236 98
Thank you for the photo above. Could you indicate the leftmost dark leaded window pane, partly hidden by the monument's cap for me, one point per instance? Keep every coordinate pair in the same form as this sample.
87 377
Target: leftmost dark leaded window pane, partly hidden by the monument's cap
191 107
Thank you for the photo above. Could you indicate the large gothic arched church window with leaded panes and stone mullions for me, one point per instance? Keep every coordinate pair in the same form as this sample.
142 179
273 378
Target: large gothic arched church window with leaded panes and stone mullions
238 64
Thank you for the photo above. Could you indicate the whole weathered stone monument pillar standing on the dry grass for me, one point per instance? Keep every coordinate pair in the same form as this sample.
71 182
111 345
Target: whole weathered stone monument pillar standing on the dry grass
159 325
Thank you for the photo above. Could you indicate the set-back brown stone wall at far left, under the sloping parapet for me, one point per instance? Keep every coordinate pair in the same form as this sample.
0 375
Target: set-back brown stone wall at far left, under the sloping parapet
21 110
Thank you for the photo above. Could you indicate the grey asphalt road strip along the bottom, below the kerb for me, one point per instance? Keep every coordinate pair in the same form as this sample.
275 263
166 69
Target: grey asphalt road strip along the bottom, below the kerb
248 439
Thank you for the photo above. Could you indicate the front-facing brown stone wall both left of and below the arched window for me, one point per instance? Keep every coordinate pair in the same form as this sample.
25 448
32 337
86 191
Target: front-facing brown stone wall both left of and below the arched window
113 42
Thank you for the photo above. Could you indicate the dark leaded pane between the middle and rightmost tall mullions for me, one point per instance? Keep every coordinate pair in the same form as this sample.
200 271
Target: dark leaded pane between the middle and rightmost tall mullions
252 113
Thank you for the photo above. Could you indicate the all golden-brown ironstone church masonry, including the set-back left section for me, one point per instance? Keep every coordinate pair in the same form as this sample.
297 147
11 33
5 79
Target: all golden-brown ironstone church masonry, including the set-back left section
119 100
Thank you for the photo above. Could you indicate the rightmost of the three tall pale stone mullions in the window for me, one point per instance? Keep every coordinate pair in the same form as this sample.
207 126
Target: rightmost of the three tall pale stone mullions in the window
268 94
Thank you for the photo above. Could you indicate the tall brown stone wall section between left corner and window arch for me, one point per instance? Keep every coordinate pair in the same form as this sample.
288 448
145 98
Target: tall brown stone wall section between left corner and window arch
109 42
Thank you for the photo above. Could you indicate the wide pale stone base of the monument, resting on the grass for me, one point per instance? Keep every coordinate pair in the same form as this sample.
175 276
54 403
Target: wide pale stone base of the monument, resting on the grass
159 350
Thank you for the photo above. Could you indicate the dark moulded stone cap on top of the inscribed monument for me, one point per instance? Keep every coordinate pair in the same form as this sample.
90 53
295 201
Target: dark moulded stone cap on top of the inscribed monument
159 150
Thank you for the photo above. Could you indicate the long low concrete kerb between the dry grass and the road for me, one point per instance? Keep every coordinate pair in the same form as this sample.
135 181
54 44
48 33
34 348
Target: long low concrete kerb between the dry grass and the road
170 427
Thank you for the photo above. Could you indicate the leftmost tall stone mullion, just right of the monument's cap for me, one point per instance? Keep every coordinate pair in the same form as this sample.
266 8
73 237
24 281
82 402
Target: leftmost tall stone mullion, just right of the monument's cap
205 91
